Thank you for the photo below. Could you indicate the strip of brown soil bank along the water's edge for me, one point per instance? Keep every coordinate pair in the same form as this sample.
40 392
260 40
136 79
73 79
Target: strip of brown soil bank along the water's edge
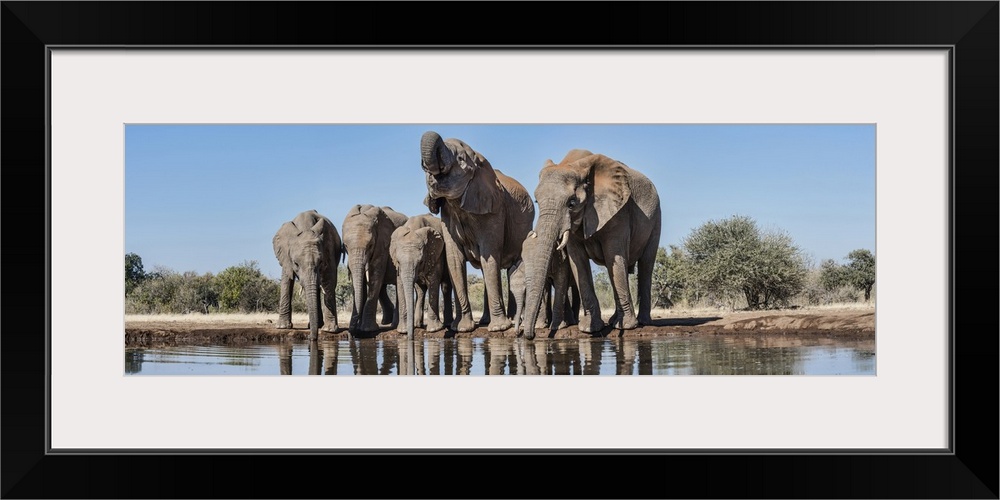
847 323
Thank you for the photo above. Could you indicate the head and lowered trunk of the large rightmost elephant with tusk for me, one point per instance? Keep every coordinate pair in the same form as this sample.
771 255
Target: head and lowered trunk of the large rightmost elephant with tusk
576 199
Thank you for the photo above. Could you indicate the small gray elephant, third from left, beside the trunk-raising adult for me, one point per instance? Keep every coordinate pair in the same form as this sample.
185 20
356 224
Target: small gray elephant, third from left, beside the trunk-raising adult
417 251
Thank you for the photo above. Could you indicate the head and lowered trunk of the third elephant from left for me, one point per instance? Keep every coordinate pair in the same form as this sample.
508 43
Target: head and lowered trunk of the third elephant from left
417 255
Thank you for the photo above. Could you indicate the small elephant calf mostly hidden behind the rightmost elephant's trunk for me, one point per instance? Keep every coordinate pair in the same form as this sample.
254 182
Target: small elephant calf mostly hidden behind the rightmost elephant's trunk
560 304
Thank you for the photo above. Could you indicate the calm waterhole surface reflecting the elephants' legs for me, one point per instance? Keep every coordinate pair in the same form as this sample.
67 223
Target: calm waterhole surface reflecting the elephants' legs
695 355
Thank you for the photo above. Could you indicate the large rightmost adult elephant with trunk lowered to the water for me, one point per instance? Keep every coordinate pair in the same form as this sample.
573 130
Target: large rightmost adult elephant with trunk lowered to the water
597 208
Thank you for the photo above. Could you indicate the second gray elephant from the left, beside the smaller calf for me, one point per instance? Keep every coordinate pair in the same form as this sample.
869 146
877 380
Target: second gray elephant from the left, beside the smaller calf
367 233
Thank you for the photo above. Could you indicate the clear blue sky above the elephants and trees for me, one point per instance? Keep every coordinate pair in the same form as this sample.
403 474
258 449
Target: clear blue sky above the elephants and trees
205 197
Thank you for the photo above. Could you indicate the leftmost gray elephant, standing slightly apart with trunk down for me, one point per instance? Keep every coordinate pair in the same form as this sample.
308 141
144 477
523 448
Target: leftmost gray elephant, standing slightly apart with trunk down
309 249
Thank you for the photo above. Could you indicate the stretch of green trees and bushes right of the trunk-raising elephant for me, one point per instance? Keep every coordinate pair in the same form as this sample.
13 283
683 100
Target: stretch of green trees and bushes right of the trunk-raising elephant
733 264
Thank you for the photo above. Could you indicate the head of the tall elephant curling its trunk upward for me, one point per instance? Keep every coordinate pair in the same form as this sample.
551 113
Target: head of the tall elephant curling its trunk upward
457 172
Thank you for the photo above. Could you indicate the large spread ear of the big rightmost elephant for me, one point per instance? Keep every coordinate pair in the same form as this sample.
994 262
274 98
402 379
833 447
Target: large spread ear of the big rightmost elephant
608 190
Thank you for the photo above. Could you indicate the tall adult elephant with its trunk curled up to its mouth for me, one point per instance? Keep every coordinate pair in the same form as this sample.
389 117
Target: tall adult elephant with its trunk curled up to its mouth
487 215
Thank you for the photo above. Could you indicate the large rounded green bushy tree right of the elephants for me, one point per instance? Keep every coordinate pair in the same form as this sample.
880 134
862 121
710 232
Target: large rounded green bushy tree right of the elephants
732 258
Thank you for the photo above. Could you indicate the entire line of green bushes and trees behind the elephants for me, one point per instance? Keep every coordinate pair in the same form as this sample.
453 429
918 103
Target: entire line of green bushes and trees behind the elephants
729 263
